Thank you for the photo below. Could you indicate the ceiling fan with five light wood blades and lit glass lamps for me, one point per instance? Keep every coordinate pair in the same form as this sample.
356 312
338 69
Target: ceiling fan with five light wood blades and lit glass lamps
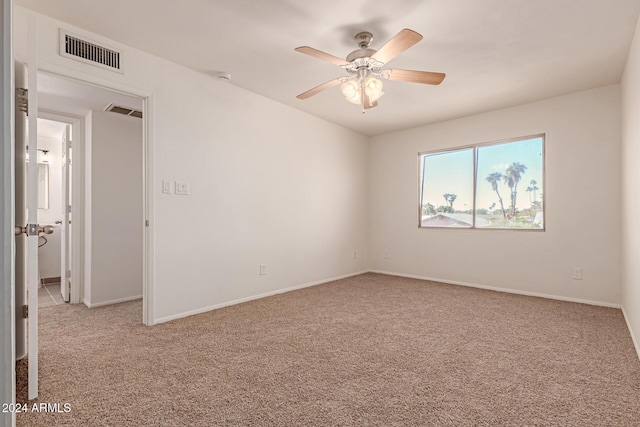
363 85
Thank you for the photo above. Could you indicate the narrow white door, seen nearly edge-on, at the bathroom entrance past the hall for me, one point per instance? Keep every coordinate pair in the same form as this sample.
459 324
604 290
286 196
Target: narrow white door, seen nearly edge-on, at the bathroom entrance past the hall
65 268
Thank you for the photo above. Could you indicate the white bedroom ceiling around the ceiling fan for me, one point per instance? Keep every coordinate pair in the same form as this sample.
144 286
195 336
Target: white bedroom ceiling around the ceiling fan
496 53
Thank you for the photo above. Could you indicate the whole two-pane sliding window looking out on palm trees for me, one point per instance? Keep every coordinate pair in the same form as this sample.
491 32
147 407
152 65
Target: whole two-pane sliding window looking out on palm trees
495 185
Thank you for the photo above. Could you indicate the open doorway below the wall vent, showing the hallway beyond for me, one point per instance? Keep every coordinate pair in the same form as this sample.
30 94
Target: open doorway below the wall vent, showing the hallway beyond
106 207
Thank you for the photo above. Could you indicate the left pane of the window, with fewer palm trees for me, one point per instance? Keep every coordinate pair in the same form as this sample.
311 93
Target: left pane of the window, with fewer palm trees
447 189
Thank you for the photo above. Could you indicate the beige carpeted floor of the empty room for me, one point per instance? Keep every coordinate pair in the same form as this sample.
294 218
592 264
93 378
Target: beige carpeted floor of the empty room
368 350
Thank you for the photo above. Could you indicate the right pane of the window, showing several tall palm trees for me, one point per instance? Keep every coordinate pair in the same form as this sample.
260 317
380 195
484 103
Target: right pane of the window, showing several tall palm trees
509 185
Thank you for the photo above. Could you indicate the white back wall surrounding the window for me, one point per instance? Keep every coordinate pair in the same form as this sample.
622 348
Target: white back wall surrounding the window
581 193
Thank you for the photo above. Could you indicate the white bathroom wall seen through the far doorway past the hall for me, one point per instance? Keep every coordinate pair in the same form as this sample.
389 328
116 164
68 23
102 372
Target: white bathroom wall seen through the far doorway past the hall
49 254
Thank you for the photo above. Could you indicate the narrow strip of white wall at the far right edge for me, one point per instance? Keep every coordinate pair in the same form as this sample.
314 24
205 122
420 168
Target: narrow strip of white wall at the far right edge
631 189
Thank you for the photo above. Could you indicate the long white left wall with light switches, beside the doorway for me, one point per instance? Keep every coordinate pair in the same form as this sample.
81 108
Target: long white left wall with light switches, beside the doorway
269 184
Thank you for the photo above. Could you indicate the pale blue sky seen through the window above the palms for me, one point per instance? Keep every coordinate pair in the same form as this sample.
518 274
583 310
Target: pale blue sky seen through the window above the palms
452 172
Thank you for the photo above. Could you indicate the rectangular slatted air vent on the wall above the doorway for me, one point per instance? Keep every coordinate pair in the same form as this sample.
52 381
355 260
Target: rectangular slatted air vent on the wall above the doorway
88 52
